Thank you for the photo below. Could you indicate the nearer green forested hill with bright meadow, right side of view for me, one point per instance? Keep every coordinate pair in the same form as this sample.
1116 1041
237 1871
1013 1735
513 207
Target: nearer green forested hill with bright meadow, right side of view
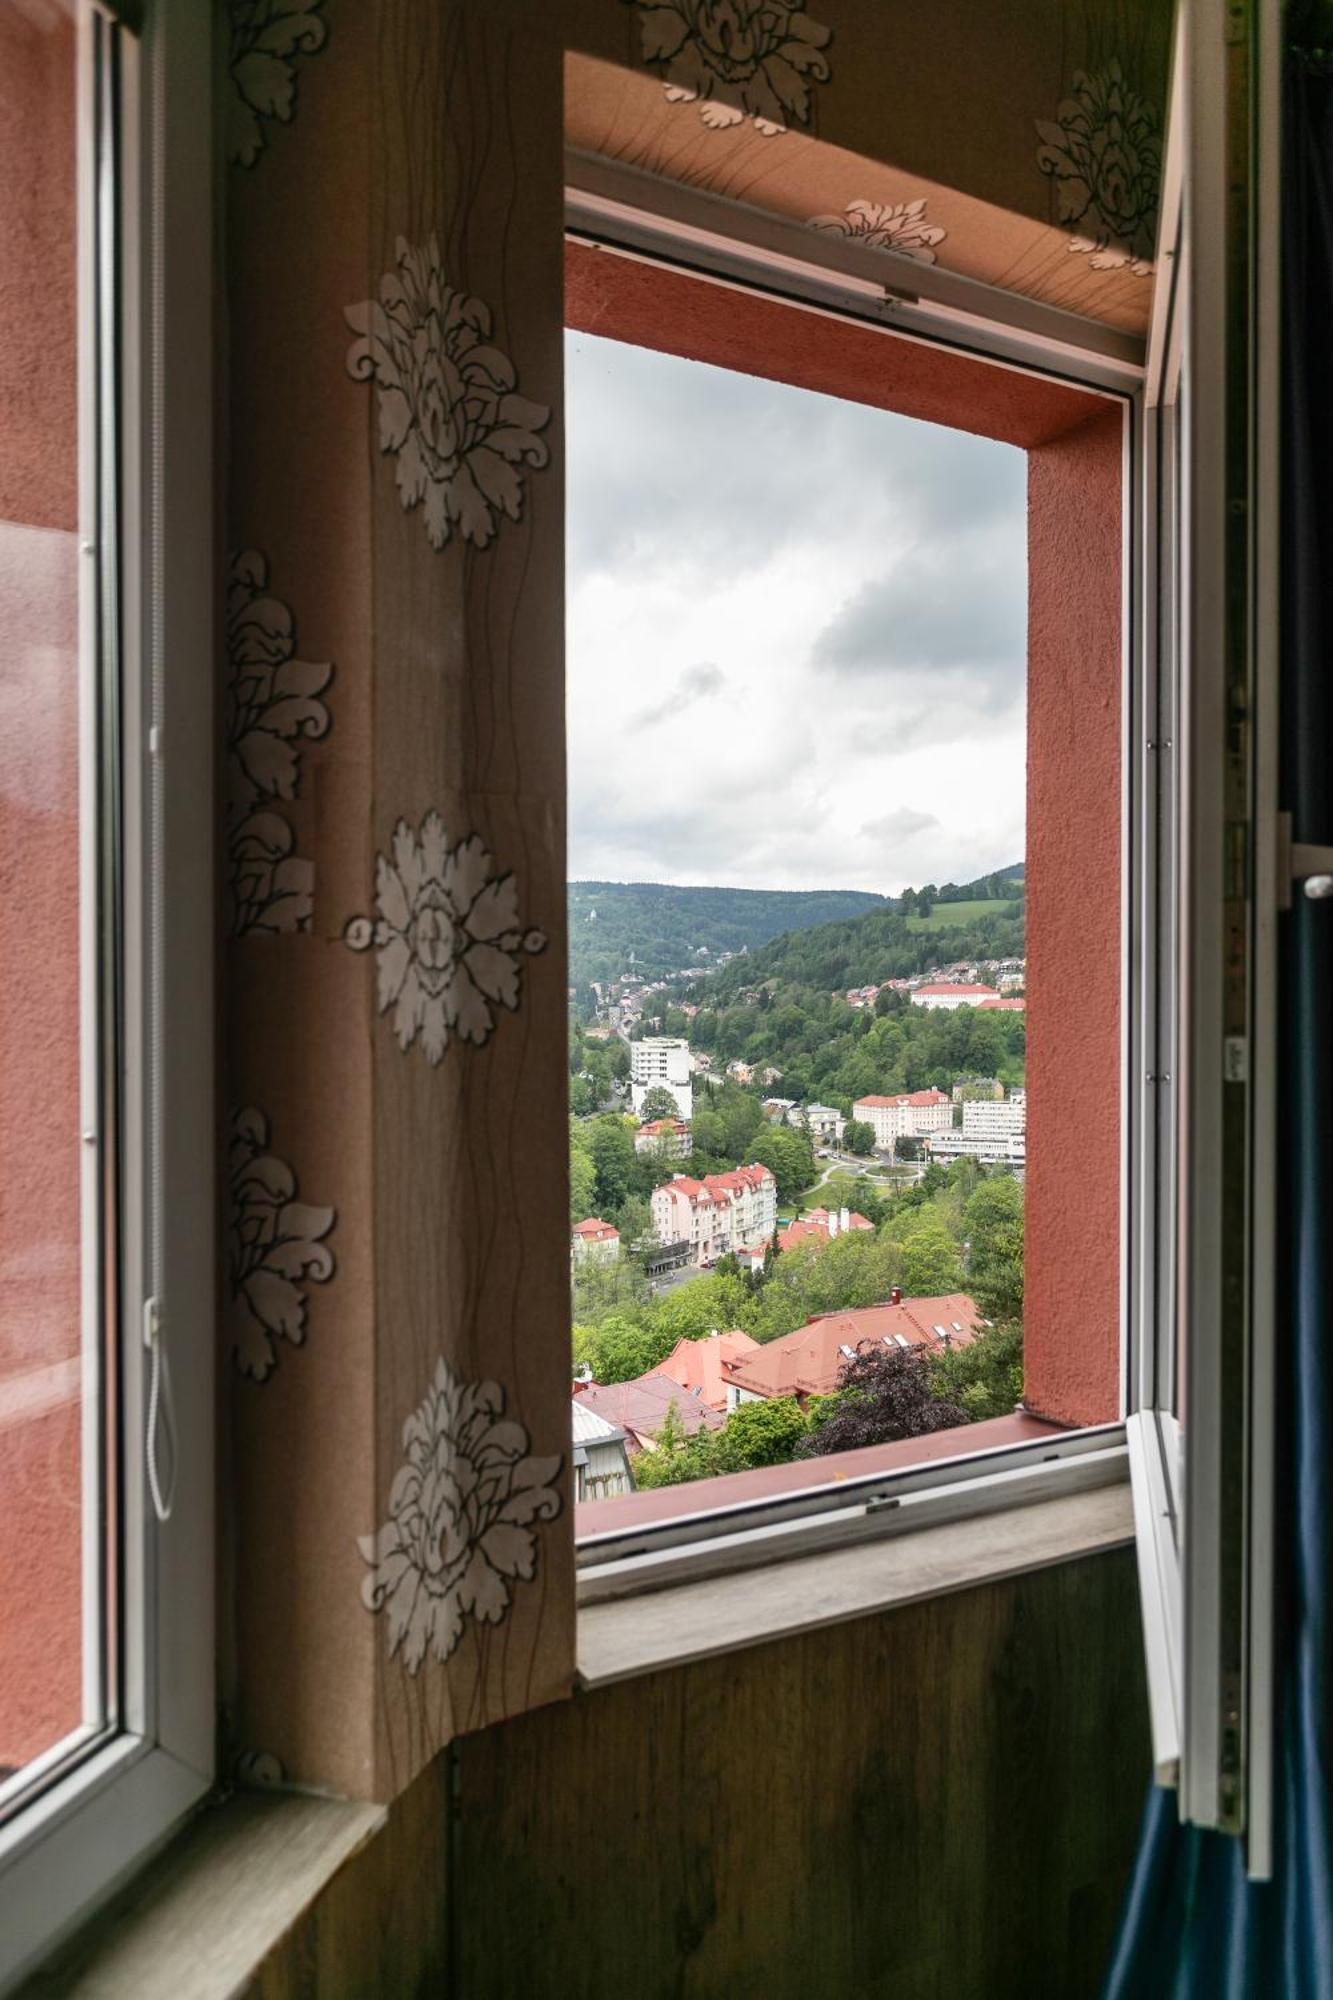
882 945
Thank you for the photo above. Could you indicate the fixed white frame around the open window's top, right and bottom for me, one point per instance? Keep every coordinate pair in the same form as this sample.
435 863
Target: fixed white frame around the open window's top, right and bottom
629 213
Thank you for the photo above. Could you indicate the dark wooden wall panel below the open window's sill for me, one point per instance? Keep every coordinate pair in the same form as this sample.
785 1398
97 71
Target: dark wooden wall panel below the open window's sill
934 1805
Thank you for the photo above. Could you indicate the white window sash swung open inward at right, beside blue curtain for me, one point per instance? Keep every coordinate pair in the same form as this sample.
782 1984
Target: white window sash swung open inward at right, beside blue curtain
1206 891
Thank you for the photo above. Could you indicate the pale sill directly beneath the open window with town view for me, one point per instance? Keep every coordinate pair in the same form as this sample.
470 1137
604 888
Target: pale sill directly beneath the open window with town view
643 1635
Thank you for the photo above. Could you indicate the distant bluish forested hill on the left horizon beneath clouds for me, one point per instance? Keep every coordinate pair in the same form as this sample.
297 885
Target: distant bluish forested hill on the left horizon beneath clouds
668 929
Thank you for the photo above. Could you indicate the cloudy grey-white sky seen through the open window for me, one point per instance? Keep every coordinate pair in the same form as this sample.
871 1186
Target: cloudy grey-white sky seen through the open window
796 635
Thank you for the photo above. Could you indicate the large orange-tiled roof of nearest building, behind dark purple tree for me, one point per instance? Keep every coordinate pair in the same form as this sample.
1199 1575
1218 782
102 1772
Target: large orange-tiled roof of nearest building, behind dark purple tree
810 1363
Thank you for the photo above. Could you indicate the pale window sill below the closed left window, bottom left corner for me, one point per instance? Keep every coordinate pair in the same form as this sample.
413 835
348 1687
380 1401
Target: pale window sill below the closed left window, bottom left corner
205 1915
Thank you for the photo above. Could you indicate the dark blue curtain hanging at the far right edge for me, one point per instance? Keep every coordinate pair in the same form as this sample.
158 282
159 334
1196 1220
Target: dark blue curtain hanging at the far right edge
1194 1929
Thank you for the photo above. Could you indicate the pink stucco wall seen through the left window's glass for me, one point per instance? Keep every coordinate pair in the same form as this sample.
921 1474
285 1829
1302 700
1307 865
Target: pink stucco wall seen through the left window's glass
41 1645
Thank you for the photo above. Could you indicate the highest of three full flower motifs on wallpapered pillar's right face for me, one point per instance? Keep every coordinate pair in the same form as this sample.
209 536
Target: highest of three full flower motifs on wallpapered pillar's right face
449 405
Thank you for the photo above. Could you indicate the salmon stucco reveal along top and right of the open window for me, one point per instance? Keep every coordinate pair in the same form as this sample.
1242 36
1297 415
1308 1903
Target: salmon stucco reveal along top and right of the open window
1074 759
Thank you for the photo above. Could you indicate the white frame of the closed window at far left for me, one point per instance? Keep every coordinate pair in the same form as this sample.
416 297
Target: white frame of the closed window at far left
149 559
